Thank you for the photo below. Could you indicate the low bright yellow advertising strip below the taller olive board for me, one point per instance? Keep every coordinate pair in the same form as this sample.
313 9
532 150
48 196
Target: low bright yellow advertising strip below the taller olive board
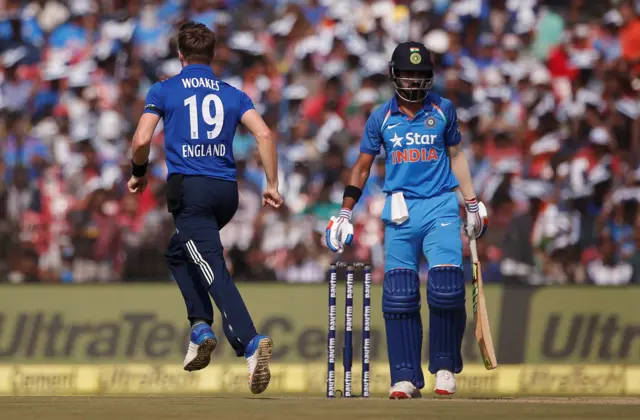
144 379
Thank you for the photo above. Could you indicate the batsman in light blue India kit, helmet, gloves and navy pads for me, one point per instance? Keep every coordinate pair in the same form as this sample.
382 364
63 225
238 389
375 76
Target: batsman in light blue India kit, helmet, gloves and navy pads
425 166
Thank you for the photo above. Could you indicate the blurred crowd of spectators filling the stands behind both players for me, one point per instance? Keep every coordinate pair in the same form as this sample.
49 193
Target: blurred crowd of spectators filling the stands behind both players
547 94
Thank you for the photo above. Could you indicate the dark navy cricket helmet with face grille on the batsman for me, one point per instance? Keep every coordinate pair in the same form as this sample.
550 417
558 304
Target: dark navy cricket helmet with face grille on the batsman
414 60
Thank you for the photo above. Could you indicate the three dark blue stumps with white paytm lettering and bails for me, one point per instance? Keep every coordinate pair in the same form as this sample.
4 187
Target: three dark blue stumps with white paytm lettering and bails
347 349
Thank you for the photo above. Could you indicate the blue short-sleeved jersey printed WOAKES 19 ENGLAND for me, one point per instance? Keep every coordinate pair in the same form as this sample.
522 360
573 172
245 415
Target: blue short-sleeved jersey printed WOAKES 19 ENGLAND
201 114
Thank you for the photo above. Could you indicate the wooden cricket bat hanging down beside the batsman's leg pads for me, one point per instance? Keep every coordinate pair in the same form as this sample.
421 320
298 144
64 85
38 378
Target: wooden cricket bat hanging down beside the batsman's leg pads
482 328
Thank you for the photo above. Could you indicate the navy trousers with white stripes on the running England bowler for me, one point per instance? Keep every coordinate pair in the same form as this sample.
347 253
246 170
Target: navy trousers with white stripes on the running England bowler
201 207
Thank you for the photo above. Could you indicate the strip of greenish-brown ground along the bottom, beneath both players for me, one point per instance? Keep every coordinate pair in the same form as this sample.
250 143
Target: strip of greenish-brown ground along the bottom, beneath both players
311 408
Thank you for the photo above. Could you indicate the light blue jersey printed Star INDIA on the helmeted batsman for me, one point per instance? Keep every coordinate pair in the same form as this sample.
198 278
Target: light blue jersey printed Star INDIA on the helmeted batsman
417 163
